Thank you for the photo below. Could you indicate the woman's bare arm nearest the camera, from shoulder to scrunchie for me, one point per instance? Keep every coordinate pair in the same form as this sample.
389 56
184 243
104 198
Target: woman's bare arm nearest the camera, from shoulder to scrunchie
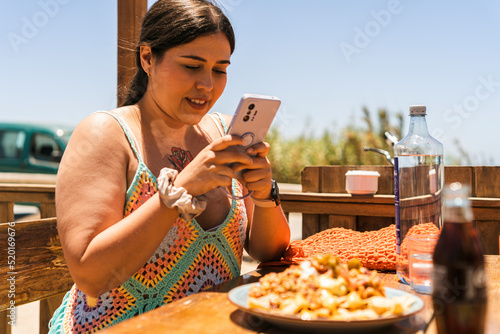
102 248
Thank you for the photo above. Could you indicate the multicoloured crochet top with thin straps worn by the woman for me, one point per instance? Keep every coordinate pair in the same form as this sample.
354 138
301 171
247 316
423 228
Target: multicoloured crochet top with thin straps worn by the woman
188 260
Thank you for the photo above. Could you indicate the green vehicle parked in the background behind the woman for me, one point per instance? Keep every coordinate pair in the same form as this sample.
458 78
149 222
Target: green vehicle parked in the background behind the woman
32 148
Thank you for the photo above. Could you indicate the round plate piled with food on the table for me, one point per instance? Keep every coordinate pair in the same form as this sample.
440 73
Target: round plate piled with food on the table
324 294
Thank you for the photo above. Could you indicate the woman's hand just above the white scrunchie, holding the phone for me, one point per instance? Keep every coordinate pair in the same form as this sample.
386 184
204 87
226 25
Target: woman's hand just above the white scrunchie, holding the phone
214 166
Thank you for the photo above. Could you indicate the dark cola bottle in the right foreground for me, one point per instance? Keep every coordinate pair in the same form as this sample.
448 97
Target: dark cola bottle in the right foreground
459 279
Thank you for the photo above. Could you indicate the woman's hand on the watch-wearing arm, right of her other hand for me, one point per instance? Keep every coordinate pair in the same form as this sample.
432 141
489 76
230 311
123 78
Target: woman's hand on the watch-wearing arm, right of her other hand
257 176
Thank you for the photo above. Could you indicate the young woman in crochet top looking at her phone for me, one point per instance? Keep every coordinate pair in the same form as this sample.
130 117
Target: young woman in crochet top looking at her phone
142 214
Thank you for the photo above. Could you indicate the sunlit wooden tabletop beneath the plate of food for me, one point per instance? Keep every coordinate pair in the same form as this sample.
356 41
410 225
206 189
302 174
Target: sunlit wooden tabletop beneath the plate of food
212 312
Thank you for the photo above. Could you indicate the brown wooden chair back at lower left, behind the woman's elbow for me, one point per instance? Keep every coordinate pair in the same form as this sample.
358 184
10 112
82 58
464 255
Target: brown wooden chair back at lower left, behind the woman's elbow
36 264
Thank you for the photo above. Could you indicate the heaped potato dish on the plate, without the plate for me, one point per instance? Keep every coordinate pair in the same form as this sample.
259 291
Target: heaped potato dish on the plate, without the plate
326 288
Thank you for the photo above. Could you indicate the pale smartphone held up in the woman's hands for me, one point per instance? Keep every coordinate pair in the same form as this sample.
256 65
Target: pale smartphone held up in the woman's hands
253 118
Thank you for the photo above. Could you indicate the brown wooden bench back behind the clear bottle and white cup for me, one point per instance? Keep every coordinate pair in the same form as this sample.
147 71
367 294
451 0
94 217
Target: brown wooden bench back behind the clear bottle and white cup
324 202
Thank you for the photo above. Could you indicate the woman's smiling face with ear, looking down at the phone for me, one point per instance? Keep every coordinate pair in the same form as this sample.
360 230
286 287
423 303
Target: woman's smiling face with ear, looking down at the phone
187 81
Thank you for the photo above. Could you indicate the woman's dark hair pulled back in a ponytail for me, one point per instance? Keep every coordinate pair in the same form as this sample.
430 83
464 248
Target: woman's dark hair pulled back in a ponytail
169 23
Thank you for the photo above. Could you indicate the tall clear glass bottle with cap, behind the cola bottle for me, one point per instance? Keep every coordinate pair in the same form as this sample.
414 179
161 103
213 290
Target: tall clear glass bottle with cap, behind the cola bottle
418 181
